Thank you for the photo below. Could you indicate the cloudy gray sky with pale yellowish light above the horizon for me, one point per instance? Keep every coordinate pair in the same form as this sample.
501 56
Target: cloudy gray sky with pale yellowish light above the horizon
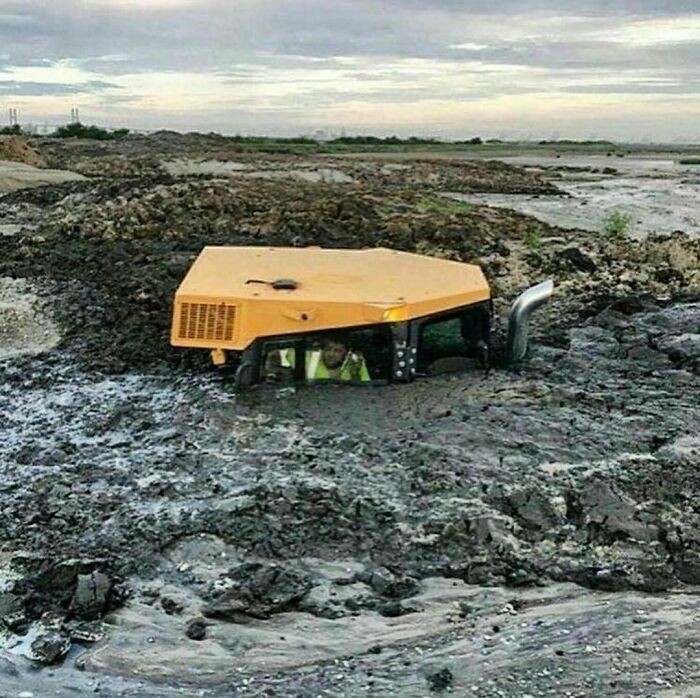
623 69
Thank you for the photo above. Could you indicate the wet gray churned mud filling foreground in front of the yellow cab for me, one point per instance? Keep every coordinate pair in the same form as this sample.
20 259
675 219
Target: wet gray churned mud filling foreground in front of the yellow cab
342 541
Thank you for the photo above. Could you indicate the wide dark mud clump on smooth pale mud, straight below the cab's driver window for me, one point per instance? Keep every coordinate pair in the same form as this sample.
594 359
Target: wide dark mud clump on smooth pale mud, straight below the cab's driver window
256 590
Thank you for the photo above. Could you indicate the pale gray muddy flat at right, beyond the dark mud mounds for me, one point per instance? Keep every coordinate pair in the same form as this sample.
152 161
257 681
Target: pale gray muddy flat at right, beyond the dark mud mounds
660 196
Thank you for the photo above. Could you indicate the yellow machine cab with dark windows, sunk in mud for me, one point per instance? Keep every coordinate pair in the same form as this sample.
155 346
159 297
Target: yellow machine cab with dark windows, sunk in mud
271 312
